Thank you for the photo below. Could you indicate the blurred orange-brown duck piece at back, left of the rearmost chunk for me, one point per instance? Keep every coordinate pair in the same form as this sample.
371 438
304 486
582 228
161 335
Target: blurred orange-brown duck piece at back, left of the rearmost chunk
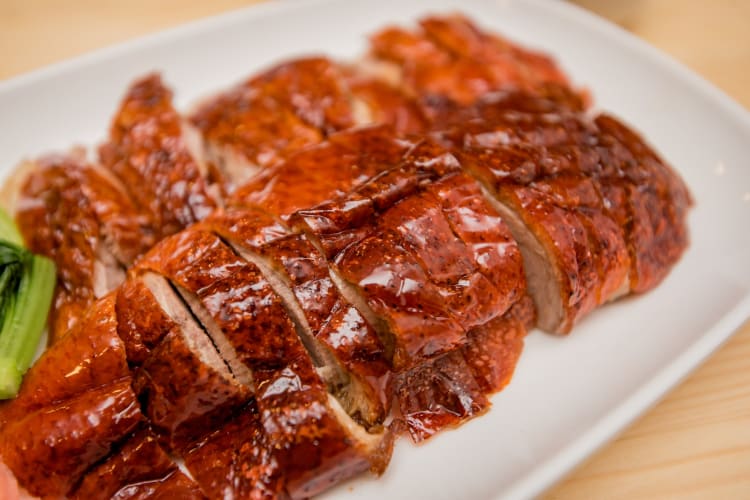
292 106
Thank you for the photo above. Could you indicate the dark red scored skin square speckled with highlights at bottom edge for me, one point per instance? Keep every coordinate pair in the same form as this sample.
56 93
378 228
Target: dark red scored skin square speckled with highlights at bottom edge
237 461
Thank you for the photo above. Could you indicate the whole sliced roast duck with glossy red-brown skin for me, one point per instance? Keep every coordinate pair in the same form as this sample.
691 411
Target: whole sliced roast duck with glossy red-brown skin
255 301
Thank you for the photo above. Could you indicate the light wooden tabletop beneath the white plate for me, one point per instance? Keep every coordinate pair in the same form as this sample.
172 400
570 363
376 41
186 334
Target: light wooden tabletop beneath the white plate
696 442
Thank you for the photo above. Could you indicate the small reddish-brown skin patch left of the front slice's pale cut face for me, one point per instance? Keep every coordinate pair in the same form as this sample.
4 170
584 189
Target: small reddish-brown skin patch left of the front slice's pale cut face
141 323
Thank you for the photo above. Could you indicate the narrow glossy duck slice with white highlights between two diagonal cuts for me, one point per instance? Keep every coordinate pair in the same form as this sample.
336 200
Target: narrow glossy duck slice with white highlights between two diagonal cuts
335 331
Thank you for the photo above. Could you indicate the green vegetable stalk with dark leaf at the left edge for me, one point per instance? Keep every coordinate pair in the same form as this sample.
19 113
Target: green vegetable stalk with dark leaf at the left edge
26 285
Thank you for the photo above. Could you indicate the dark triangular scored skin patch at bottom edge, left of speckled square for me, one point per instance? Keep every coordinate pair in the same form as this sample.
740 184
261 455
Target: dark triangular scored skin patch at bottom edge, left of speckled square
139 469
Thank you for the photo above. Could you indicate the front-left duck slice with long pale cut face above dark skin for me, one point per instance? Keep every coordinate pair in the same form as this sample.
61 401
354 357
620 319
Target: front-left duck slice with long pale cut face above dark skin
181 412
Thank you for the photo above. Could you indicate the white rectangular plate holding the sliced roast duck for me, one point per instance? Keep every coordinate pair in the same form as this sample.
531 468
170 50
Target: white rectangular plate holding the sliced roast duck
568 395
